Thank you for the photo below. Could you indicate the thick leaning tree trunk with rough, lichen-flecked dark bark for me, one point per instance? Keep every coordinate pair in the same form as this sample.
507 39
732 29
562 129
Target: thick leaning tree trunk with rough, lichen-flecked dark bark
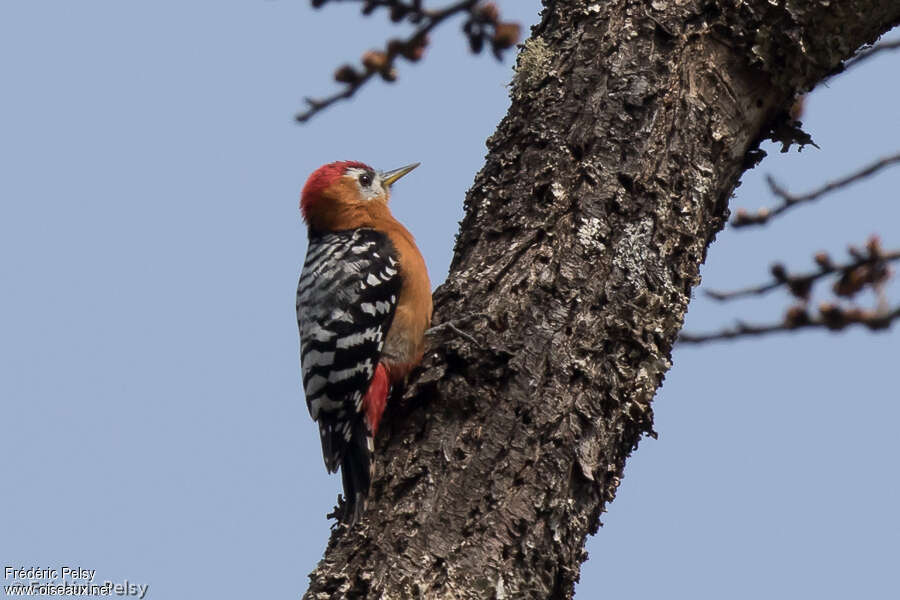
630 125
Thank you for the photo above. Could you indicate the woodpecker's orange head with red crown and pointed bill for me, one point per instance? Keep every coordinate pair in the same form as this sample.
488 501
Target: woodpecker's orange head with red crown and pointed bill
341 195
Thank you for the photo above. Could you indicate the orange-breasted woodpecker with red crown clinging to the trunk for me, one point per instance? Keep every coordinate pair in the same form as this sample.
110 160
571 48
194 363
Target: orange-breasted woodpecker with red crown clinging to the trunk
363 305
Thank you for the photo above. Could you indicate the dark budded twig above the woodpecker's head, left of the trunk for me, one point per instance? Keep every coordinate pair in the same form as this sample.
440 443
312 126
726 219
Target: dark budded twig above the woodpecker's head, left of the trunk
482 25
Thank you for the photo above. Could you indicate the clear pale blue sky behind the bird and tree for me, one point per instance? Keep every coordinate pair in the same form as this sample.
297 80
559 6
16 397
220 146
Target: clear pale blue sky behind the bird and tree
153 426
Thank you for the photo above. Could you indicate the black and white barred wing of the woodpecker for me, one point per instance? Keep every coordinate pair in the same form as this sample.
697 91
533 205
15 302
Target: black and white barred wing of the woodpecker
345 304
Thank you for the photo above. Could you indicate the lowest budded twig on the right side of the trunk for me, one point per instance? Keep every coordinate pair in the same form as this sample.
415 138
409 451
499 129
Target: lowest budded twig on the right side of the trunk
830 317
